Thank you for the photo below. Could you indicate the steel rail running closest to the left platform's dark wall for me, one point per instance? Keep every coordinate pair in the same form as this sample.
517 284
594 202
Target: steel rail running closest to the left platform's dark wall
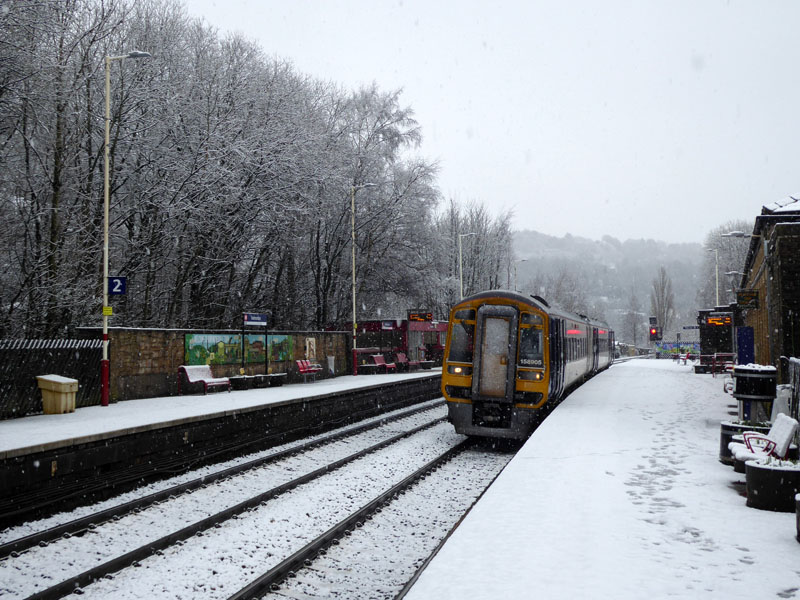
82 524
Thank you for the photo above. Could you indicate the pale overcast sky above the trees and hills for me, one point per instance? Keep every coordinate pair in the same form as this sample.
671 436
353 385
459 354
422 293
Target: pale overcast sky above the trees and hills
637 119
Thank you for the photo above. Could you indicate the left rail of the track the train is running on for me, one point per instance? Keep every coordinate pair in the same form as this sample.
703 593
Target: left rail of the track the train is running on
267 582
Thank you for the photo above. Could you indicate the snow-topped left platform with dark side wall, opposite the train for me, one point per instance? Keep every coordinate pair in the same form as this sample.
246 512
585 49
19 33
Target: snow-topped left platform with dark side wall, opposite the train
66 455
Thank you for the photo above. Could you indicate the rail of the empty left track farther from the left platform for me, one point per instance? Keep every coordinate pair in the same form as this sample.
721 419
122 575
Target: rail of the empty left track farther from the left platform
69 585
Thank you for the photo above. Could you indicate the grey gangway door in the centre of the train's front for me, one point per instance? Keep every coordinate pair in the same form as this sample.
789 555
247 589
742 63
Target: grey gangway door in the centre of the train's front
496 360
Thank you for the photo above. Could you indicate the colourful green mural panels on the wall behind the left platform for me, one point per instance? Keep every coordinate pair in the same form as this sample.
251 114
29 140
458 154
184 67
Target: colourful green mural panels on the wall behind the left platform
226 349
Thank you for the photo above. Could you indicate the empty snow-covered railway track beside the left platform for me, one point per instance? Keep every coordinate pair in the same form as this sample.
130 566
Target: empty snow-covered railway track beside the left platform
73 546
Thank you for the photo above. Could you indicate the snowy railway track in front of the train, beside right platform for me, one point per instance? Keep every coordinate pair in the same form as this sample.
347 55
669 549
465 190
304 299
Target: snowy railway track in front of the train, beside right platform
380 550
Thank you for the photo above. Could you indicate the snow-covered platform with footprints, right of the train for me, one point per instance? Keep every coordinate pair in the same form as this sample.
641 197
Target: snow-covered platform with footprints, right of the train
620 494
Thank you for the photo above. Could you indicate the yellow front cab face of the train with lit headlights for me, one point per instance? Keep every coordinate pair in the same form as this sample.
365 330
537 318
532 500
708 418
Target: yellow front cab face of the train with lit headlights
500 389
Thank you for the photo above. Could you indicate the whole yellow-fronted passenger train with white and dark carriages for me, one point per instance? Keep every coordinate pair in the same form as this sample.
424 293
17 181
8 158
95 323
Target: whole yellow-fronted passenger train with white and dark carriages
509 359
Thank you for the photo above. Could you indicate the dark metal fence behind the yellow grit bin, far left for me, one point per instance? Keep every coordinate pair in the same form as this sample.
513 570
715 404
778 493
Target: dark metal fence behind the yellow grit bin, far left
22 360
